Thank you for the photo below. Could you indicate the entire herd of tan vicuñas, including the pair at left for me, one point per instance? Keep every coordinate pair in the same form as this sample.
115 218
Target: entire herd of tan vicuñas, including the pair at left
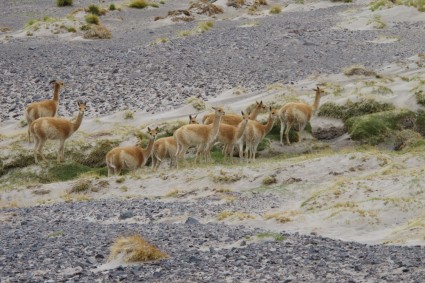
231 130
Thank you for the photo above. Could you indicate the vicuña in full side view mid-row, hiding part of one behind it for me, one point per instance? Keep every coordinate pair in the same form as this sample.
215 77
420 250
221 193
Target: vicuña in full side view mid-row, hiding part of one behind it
201 135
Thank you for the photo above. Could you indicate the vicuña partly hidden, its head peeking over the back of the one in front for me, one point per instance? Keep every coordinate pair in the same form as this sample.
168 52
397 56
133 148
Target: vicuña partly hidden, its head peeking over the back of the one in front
166 147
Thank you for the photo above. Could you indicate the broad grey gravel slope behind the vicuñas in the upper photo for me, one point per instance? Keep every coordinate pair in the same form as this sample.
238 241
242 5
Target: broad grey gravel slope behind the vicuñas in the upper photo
128 72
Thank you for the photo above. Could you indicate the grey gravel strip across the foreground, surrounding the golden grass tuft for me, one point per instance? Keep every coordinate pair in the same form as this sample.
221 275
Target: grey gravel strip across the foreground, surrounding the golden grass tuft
68 243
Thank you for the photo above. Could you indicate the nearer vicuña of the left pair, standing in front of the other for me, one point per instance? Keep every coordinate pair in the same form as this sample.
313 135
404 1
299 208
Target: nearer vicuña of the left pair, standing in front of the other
52 128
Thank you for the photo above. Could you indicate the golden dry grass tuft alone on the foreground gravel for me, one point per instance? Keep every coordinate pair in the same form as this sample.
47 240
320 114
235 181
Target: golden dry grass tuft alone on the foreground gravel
135 249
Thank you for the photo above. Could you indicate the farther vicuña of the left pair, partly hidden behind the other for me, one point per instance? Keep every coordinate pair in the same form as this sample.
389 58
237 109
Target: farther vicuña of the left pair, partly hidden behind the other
45 108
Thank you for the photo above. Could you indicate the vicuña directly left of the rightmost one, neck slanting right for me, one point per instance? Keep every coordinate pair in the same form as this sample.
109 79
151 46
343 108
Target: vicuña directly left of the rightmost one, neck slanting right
255 133
